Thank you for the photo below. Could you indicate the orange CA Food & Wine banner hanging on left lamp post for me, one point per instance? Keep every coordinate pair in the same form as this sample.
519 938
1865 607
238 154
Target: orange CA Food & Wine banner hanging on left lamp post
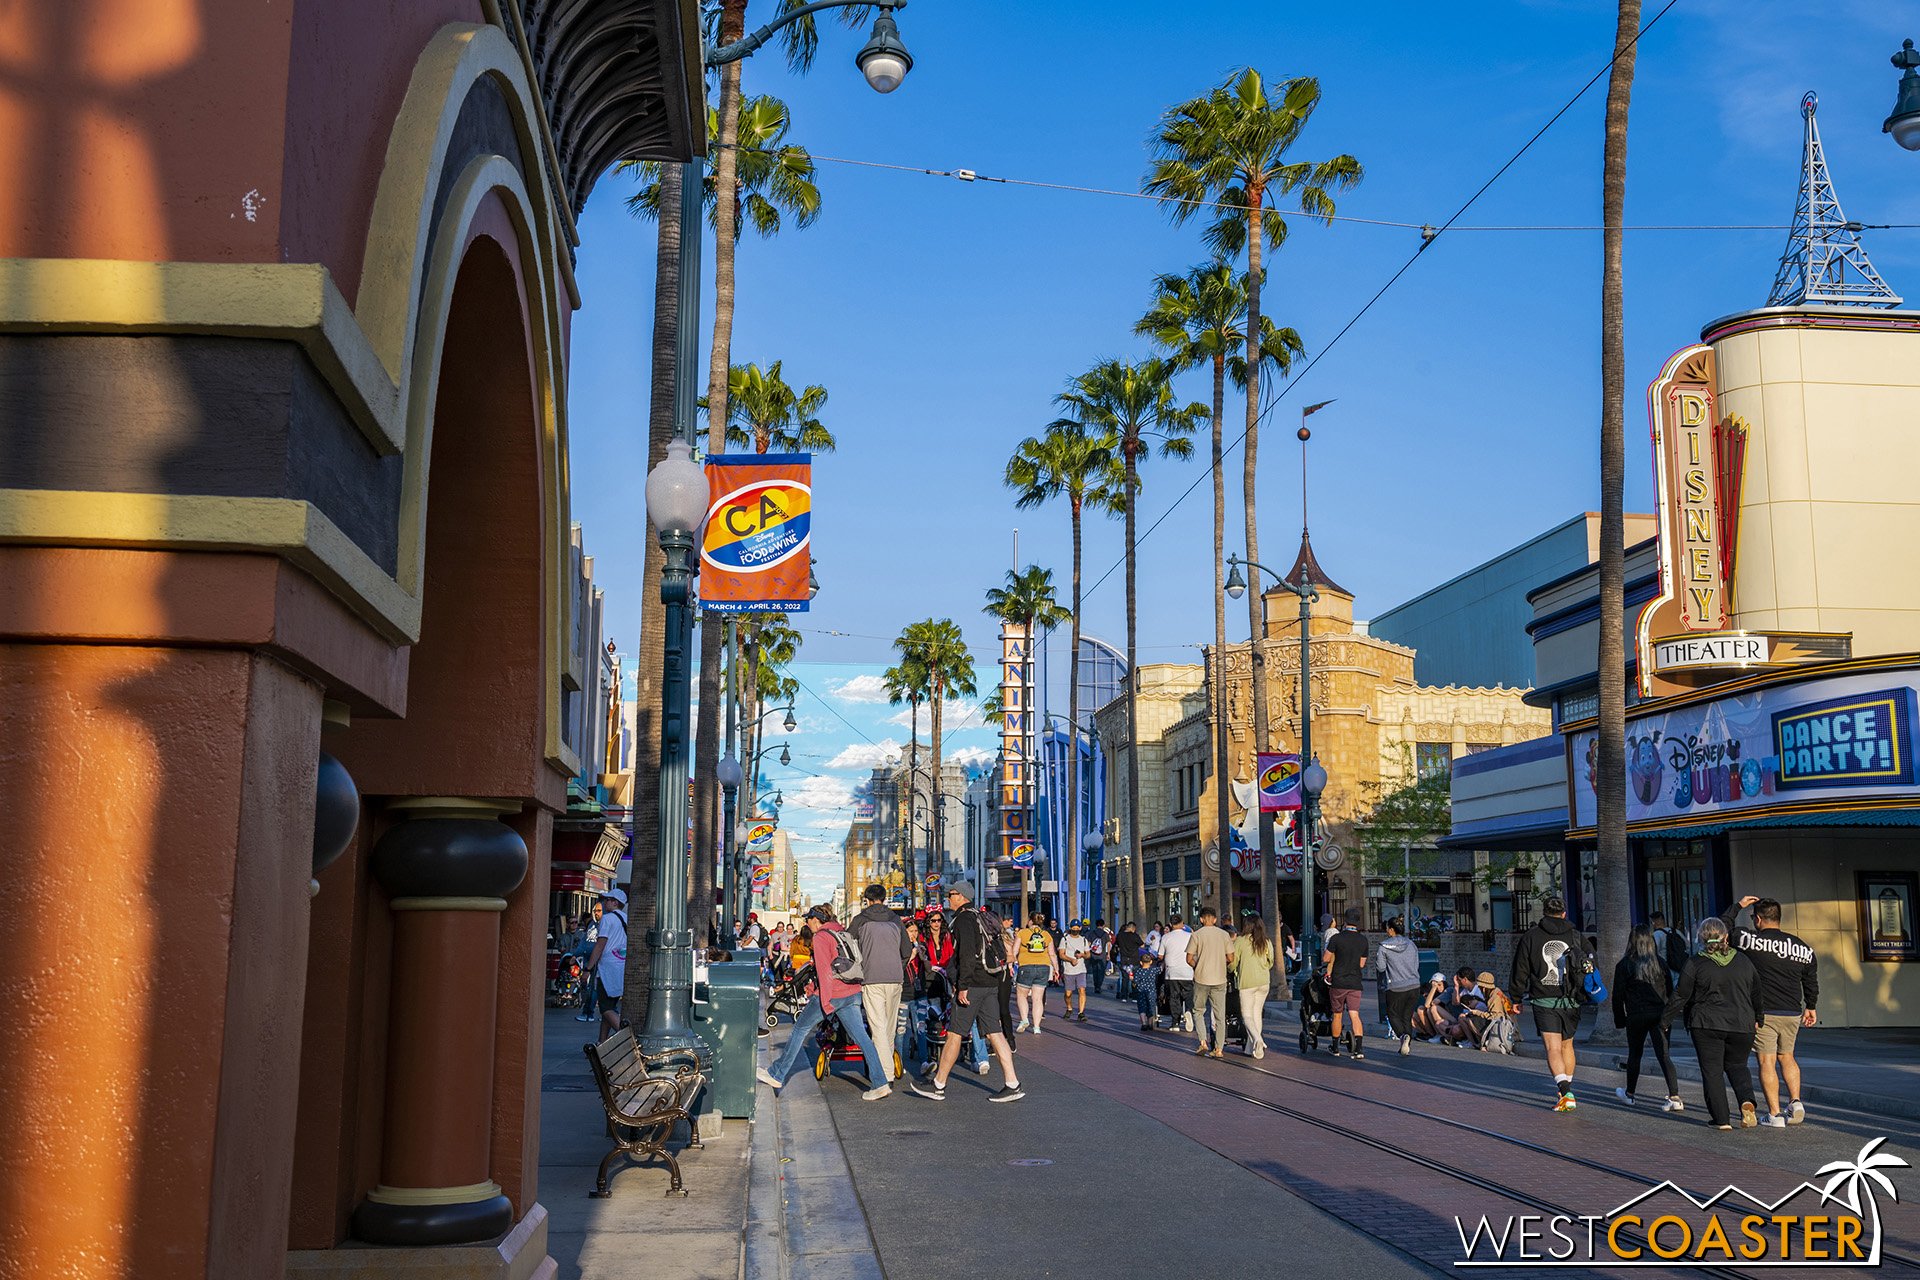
756 550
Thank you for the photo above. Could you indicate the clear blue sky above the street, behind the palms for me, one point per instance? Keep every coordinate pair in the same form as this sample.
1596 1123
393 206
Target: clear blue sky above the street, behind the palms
946 316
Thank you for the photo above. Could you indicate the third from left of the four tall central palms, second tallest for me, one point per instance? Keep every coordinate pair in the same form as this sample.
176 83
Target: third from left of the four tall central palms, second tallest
1199 320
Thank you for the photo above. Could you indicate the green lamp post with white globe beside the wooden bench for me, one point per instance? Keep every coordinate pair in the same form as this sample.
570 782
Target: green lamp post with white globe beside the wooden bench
677 508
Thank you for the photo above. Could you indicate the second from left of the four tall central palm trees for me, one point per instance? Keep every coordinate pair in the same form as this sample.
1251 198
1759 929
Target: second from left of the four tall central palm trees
1136 404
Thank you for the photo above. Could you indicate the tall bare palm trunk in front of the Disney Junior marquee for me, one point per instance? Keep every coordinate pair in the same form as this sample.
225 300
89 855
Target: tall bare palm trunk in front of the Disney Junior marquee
1614 874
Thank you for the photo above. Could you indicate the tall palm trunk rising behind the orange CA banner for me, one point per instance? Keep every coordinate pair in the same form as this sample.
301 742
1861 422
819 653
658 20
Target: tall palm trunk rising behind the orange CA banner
708 721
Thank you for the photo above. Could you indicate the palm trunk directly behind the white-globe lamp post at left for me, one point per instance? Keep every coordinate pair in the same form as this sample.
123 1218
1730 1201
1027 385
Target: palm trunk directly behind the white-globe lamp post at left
646 809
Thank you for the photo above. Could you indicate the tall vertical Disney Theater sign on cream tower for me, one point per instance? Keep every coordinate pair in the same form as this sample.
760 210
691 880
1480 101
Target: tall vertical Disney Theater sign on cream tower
1687 634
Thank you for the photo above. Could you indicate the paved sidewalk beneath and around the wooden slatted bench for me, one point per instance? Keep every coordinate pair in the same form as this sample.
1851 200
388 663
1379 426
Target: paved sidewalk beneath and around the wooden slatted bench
638 1233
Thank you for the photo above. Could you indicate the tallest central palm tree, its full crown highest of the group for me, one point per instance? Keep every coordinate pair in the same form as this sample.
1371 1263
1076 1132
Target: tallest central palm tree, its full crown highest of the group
1228 153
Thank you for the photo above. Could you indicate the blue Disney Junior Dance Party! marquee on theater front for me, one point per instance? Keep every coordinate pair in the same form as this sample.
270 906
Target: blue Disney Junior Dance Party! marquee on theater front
1815 740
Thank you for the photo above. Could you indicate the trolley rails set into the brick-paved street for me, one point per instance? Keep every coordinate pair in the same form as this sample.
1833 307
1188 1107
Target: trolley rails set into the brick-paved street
1426 1162
